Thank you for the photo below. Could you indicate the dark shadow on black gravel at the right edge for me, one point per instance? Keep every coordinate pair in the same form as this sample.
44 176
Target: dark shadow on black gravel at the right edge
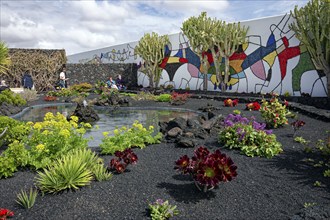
301 166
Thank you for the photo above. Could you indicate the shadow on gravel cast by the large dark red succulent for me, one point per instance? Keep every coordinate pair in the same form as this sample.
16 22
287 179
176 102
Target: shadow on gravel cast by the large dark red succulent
187 193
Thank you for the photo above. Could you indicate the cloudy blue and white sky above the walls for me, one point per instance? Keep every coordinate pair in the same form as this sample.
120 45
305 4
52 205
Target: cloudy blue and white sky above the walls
83 25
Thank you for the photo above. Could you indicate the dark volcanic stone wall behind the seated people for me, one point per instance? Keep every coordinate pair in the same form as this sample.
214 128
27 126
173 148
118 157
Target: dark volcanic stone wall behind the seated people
91 73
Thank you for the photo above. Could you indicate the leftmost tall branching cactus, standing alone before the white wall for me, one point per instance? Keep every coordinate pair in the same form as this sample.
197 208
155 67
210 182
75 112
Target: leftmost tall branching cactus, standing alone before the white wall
151 49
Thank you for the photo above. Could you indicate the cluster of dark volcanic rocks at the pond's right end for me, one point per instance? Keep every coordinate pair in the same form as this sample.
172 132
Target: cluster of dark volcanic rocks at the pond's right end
192 132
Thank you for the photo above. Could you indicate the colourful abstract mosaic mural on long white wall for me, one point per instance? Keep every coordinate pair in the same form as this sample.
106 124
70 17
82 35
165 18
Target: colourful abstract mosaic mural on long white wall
272 60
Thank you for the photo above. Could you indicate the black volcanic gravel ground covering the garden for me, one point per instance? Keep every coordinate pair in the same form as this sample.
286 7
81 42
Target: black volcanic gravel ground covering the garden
274 188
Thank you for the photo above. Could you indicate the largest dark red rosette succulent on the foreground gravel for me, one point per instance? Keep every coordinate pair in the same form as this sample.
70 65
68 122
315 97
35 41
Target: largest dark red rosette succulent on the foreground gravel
207 169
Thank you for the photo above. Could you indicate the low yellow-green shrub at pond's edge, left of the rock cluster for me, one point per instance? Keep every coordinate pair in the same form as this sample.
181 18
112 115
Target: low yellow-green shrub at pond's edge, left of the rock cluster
136 136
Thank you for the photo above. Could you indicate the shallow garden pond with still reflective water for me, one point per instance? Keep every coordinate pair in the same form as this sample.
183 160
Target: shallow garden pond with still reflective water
110 118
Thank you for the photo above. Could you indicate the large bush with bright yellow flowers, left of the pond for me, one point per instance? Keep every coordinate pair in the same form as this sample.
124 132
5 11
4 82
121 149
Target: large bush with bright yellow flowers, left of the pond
53 137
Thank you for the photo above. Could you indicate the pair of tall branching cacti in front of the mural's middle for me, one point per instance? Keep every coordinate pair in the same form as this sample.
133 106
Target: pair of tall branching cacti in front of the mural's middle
215 35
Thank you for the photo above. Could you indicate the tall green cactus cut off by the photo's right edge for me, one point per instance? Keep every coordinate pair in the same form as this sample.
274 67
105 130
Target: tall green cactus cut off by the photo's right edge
312 28
